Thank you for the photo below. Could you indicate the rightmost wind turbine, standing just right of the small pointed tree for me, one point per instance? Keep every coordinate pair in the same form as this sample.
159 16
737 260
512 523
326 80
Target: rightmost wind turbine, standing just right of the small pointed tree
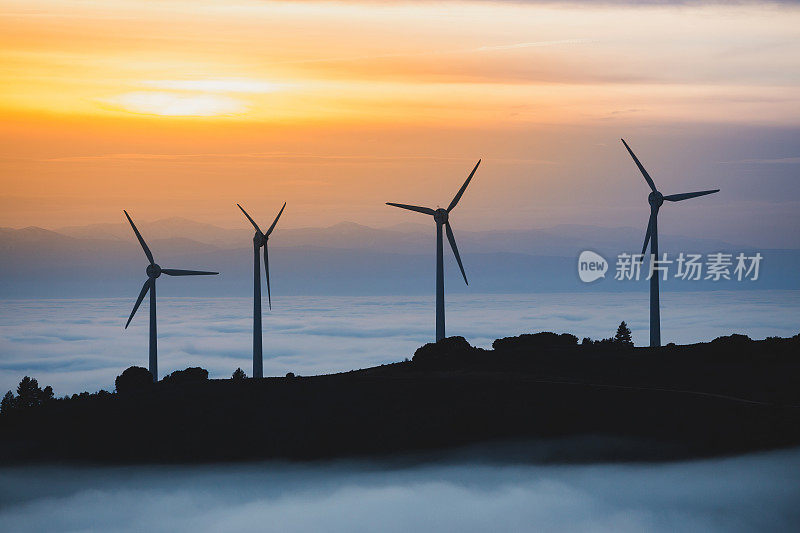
656 199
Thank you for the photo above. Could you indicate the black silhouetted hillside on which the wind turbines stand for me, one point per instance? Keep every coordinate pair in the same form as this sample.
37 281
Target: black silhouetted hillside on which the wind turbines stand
728 396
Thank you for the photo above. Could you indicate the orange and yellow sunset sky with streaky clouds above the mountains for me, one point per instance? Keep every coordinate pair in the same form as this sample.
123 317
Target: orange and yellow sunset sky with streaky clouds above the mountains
181 108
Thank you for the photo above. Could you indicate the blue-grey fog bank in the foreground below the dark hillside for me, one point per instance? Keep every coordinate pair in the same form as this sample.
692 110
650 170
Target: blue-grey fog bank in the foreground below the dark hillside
446 493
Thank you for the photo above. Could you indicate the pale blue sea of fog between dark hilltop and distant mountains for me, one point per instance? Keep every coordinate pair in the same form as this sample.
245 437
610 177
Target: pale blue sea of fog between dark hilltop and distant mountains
77 345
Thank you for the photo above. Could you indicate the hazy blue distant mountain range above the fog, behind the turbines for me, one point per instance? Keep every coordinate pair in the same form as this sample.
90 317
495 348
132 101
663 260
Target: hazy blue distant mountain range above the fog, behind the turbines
346 258
